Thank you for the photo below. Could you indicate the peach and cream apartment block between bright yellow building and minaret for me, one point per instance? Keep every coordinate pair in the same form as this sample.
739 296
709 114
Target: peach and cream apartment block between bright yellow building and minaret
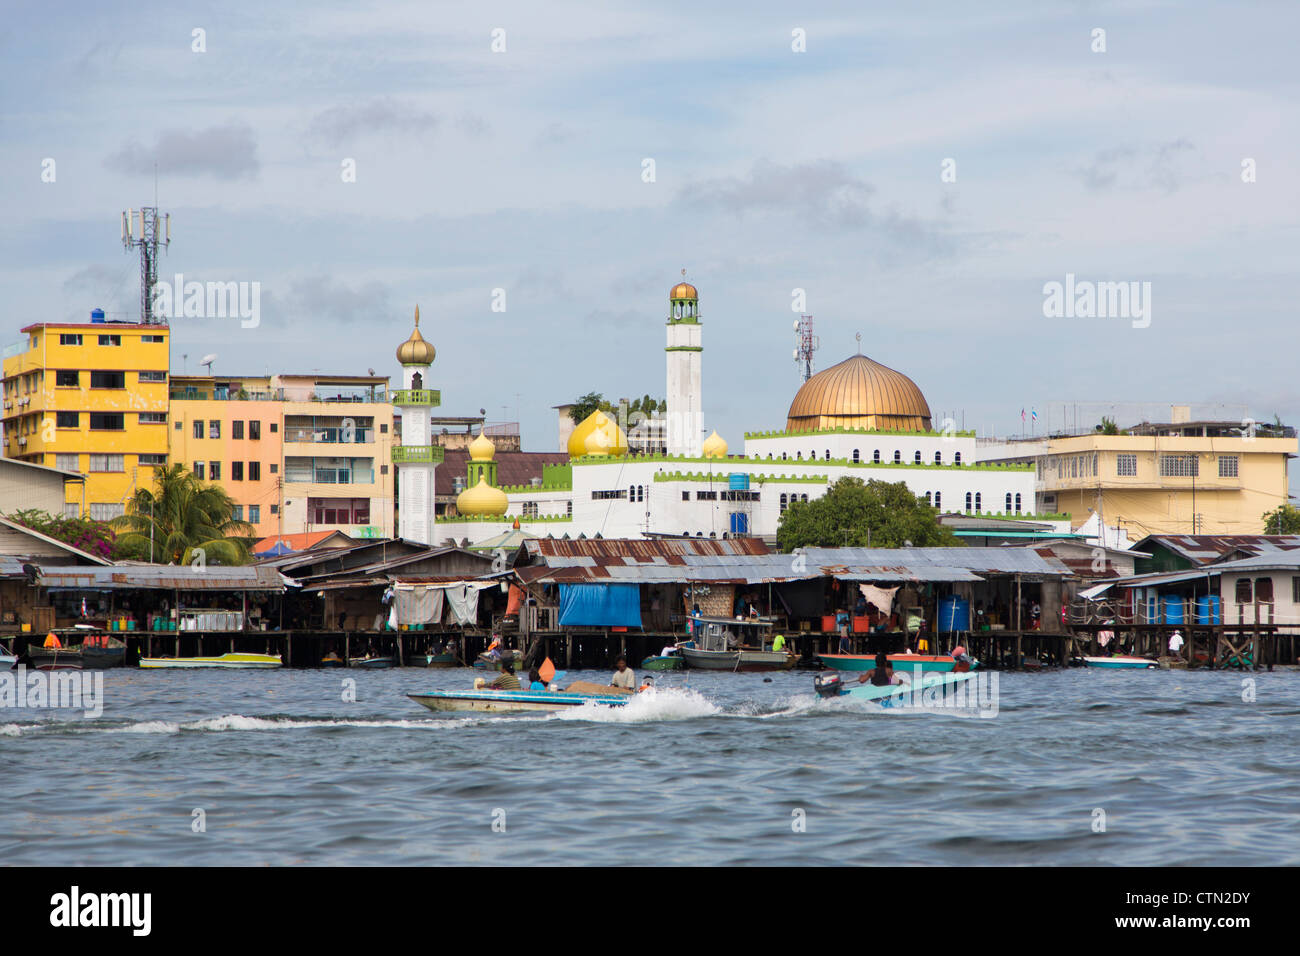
297 453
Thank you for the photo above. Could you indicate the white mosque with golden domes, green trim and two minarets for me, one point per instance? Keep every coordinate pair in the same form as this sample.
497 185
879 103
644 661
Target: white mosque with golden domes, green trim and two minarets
856 419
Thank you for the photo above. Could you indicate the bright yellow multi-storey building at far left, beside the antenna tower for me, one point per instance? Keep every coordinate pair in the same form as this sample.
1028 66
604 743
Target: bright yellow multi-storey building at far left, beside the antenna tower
90 399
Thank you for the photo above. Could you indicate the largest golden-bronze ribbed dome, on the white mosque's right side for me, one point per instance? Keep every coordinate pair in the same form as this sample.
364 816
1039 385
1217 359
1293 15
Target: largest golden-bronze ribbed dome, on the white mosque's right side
860 393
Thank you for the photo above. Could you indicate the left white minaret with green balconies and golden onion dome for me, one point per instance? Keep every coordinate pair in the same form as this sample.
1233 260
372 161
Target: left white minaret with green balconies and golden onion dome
417 457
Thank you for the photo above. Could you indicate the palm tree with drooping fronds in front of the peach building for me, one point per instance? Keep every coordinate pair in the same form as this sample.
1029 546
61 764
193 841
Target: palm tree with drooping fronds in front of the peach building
181 514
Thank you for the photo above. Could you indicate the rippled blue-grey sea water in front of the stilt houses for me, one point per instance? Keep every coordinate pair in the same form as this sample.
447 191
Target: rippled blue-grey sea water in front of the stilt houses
714 769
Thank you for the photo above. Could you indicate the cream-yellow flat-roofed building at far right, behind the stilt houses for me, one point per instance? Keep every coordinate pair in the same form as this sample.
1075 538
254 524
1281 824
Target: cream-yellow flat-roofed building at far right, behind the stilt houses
1180 478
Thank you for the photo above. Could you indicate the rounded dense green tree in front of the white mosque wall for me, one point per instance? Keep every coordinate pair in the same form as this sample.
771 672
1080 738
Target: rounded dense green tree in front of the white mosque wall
852 512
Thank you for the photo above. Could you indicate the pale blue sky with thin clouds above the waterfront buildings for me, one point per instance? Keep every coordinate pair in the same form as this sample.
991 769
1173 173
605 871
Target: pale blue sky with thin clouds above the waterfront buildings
920 171
